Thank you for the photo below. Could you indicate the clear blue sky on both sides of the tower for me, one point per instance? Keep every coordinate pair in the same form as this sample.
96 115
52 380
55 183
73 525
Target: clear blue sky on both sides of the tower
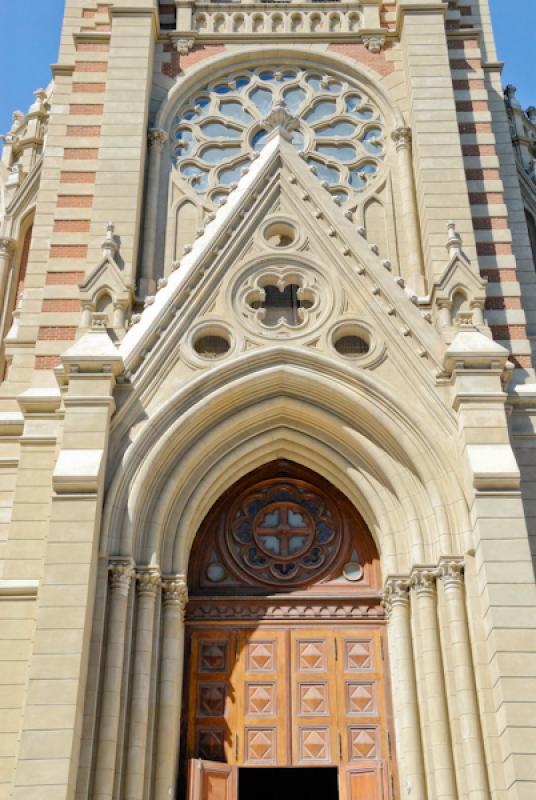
34 28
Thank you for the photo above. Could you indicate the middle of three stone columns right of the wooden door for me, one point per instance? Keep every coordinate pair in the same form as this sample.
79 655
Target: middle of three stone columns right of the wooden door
434 693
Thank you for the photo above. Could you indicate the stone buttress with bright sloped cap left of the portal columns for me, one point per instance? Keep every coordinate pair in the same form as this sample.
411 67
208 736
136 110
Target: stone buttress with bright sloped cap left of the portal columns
50 739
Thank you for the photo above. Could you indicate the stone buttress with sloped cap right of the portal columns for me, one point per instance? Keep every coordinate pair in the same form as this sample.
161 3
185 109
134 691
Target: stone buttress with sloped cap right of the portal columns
502 561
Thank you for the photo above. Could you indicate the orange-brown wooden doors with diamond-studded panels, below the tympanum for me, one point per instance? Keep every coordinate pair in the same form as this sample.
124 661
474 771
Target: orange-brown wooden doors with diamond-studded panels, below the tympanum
301 696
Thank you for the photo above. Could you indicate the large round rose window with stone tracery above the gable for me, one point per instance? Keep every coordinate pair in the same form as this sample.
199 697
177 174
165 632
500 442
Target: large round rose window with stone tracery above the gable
339 131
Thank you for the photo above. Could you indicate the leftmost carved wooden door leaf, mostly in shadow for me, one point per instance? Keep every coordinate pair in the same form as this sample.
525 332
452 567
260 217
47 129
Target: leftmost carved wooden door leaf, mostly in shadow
212 699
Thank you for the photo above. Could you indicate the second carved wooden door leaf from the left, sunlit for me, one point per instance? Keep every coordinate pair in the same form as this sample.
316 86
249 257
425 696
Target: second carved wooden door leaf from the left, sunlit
263 709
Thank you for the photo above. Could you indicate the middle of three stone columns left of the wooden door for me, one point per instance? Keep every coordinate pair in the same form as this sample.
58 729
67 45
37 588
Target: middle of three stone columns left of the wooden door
147 586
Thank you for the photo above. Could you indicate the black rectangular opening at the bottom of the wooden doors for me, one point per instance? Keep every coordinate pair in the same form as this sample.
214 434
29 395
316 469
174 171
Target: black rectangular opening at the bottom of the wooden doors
287 783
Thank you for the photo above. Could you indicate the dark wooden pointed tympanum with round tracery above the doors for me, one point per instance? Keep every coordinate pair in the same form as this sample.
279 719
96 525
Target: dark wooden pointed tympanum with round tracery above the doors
283 529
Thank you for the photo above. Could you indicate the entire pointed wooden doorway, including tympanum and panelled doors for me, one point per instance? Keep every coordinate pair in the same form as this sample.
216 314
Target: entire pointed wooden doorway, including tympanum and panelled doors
286 659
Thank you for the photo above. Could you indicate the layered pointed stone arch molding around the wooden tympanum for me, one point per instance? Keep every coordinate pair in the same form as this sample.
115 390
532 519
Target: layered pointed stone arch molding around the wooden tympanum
298 406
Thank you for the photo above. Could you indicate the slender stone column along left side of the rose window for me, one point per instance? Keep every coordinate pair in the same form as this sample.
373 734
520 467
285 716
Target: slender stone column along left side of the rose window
156 142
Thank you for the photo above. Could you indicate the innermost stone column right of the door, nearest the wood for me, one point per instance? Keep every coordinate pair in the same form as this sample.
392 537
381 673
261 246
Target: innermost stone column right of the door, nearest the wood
407 722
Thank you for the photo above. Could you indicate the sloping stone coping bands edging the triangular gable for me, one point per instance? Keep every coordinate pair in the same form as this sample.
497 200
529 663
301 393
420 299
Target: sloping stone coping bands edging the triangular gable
386 291
